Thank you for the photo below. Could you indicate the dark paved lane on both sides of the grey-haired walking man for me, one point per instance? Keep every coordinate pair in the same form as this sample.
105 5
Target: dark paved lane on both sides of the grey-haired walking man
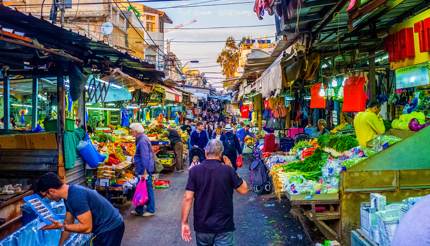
260 220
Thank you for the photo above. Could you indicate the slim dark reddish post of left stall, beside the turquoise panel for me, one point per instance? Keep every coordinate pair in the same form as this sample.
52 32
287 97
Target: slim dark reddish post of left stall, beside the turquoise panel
61 120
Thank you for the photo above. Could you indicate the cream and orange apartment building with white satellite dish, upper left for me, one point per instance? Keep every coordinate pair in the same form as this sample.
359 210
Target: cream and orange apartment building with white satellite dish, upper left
123 24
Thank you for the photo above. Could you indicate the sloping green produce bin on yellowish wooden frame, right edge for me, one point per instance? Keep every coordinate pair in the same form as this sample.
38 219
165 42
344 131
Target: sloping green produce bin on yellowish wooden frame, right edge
399 172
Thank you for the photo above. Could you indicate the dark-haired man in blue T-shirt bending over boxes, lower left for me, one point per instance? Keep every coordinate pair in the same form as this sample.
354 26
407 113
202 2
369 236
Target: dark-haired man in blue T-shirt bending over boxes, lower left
94 214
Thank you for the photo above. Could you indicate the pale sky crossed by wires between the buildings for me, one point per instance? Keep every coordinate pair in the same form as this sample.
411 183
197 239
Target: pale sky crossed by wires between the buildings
210 16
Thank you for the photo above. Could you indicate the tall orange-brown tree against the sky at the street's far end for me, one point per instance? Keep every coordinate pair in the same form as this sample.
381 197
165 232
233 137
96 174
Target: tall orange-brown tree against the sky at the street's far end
229 58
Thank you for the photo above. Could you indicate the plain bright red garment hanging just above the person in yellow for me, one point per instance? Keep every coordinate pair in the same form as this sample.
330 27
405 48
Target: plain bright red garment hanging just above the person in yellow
354 96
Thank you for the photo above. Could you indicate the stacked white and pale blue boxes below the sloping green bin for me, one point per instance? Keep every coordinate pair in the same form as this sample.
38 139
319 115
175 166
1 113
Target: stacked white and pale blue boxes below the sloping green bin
379 220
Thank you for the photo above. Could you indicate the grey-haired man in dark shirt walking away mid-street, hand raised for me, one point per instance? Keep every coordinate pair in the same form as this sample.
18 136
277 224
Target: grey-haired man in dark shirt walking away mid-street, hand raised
211 186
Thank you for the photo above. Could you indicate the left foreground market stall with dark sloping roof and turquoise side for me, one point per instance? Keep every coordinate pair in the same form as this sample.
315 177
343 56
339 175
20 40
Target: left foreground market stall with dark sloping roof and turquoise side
43 103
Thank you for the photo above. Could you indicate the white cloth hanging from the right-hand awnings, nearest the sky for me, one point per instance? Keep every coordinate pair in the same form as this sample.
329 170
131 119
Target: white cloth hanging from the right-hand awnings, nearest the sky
271 78
